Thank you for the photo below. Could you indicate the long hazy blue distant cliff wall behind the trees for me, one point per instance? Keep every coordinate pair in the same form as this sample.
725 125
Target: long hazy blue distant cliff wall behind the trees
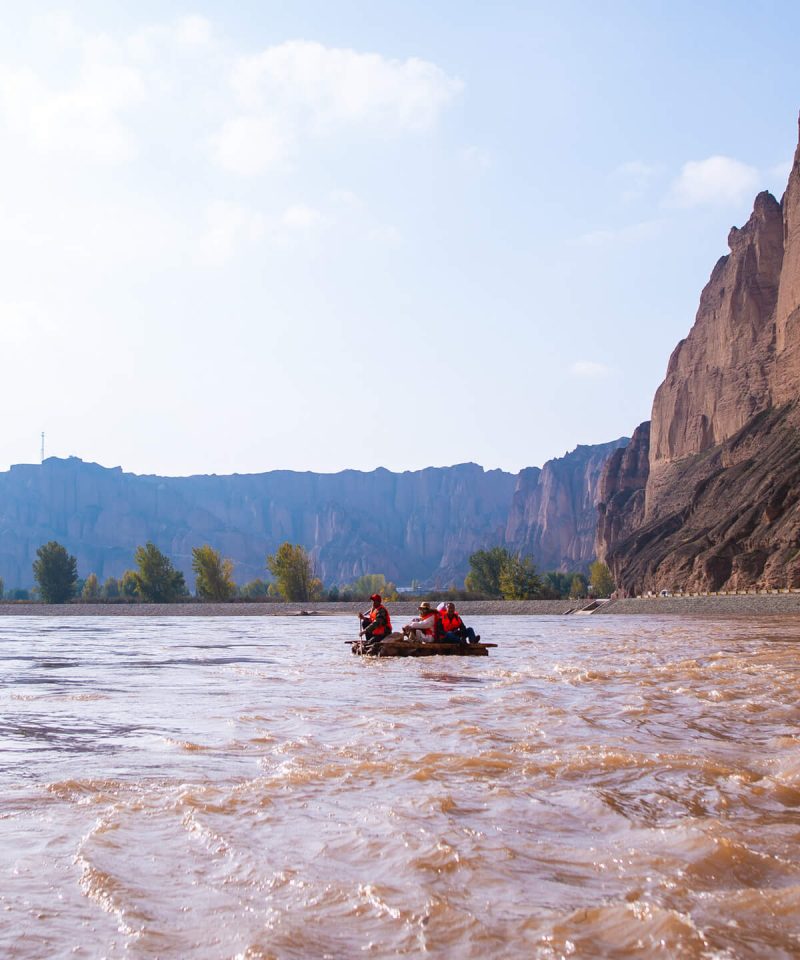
419 525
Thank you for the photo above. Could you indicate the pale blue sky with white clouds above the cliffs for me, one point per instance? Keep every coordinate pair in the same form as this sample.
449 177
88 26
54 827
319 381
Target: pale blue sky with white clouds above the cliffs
330 234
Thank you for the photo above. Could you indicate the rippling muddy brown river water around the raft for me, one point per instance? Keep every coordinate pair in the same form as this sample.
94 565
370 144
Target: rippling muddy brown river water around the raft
245 788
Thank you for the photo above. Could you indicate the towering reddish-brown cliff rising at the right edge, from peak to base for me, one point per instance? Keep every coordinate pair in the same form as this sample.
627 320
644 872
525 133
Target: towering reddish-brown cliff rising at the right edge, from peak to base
716 507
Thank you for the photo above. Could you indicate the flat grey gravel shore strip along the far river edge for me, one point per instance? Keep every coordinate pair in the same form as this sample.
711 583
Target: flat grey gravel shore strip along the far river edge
756 605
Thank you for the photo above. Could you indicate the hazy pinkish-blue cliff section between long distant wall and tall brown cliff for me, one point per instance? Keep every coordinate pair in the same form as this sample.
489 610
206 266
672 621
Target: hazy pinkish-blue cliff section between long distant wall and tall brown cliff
553 514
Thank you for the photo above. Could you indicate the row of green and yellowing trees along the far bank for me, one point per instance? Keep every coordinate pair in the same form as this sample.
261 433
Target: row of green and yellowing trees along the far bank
495 573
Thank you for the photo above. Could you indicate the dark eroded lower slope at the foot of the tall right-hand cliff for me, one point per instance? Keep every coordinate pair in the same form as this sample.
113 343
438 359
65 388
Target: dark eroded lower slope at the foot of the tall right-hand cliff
732 521
